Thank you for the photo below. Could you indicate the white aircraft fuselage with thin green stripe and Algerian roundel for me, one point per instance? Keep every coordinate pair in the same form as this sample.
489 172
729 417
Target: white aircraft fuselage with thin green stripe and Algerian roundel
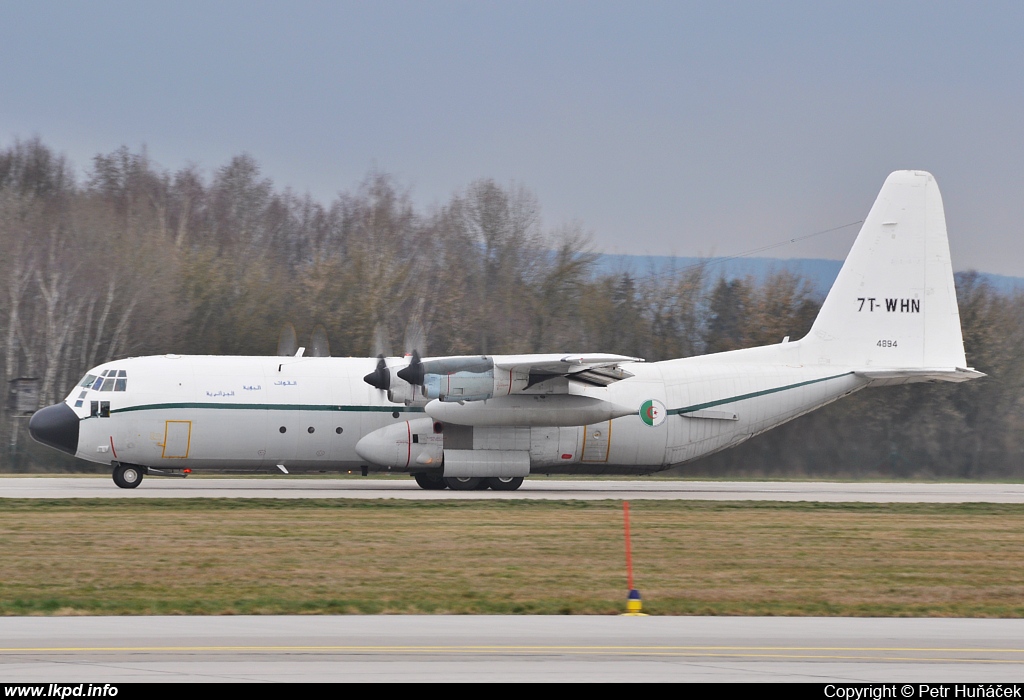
309 414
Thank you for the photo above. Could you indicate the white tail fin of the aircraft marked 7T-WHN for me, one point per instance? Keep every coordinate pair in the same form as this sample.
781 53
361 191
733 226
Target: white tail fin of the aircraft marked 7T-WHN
892 313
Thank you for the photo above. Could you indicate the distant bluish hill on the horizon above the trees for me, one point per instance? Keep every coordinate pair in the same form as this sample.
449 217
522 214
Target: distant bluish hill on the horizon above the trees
822 274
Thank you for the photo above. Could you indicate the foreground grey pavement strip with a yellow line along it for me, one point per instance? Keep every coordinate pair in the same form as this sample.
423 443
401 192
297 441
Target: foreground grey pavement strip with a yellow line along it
509 649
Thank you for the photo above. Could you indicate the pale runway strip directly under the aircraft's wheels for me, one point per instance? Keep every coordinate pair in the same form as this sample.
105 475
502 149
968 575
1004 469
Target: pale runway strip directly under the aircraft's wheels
534 489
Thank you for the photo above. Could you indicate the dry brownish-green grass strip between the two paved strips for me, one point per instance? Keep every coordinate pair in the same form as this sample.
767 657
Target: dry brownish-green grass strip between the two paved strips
204 556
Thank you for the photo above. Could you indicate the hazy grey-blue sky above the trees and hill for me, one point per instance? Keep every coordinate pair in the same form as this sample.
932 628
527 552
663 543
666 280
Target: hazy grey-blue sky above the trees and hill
665 128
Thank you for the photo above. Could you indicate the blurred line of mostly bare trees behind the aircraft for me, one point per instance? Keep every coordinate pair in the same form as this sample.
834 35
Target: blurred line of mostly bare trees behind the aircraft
133 259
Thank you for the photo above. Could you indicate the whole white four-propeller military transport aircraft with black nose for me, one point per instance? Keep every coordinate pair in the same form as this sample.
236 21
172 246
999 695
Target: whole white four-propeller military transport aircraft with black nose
479 422
